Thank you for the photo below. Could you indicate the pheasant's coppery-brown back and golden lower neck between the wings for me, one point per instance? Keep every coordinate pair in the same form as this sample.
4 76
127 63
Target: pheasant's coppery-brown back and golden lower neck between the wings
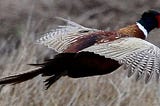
99 37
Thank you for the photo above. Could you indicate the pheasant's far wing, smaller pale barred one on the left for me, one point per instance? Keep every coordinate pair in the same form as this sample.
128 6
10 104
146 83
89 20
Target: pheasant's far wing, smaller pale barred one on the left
61 38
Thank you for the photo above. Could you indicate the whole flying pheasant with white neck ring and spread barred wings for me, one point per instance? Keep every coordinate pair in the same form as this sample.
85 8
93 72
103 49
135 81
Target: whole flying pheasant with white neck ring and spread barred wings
84 52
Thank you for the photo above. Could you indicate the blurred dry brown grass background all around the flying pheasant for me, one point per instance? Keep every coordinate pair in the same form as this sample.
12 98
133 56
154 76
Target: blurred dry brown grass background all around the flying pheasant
24 21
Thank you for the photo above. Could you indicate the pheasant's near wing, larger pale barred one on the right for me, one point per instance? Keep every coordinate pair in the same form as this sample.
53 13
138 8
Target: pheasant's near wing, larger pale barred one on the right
136 54
